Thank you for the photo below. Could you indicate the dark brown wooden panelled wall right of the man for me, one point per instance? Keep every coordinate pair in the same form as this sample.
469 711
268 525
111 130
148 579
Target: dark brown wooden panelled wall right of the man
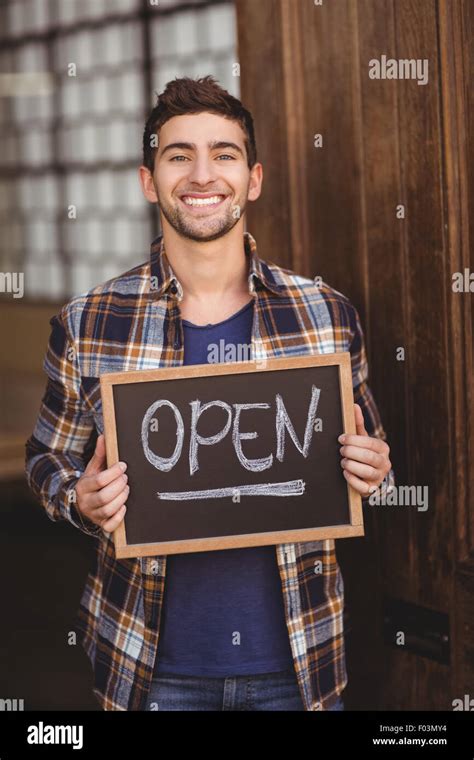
332 211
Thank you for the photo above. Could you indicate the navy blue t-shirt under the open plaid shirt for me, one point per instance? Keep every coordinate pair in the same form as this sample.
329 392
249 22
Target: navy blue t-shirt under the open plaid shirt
223 611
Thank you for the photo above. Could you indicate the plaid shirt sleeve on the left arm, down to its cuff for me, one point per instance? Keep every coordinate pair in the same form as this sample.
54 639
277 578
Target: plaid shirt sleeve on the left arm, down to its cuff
64 435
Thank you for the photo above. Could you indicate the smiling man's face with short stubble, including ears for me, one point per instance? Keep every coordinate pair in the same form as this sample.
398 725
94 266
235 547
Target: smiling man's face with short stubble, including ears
201 177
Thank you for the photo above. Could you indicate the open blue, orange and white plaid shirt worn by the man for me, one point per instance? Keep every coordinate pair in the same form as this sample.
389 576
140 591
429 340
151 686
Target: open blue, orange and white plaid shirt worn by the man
133 322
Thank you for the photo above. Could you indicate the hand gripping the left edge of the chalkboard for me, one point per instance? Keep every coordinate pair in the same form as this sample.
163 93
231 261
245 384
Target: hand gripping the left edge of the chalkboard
101 492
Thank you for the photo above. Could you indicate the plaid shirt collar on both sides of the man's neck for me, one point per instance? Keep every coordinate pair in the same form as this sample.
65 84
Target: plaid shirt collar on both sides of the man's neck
163 280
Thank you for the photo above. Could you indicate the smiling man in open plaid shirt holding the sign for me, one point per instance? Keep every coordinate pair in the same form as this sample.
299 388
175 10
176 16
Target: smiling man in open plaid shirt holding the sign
244 629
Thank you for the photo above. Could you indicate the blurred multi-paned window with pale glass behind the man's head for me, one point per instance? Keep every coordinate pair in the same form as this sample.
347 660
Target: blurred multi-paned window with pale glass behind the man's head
77 81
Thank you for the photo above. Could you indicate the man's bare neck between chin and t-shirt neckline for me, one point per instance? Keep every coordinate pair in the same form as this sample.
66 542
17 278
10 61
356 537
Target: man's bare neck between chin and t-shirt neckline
209 270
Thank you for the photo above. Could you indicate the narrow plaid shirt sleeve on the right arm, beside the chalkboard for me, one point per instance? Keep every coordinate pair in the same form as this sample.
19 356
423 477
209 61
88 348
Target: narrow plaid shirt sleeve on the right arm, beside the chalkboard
363 396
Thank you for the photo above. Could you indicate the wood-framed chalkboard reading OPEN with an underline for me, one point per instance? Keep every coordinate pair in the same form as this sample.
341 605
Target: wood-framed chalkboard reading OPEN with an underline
233 454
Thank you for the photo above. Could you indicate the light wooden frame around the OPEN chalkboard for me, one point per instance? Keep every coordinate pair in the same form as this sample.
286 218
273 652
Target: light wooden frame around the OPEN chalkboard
354 528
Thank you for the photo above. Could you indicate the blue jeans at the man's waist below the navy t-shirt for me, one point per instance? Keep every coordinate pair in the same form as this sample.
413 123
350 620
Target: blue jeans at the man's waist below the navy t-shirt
269 691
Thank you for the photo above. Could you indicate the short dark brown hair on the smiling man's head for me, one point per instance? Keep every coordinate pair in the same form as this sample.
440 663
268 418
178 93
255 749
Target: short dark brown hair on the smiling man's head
184 96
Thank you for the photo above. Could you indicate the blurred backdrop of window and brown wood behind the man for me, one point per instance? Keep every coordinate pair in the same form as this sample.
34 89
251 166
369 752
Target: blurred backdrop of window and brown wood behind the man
368 183
